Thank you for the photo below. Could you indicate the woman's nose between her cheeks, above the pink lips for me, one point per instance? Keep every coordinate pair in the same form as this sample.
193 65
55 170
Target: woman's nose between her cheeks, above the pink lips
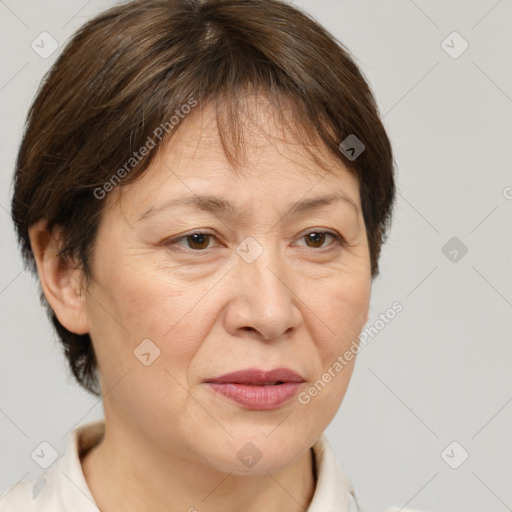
263 303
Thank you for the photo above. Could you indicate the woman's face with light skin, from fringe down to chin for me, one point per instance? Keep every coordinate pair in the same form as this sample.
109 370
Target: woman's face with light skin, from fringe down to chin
170 314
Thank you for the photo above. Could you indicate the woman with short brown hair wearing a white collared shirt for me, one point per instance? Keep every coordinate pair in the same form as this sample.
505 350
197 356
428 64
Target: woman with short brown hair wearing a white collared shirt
203 189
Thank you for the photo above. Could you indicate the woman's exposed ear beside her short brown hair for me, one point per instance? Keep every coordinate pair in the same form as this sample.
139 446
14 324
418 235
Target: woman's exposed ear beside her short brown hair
61 283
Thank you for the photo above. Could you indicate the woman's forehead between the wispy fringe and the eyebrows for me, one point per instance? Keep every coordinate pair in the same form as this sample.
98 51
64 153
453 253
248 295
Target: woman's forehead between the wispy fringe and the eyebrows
271 161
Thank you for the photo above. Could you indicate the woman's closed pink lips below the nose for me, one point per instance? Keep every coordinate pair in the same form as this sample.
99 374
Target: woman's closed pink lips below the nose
258 389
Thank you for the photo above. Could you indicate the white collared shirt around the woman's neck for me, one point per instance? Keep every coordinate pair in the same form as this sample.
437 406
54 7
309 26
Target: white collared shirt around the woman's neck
62 487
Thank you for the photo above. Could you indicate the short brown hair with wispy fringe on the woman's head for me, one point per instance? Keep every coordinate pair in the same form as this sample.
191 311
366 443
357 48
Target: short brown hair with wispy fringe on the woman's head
128 70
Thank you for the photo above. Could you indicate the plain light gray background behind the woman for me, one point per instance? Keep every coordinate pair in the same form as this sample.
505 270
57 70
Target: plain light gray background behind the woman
440 371
